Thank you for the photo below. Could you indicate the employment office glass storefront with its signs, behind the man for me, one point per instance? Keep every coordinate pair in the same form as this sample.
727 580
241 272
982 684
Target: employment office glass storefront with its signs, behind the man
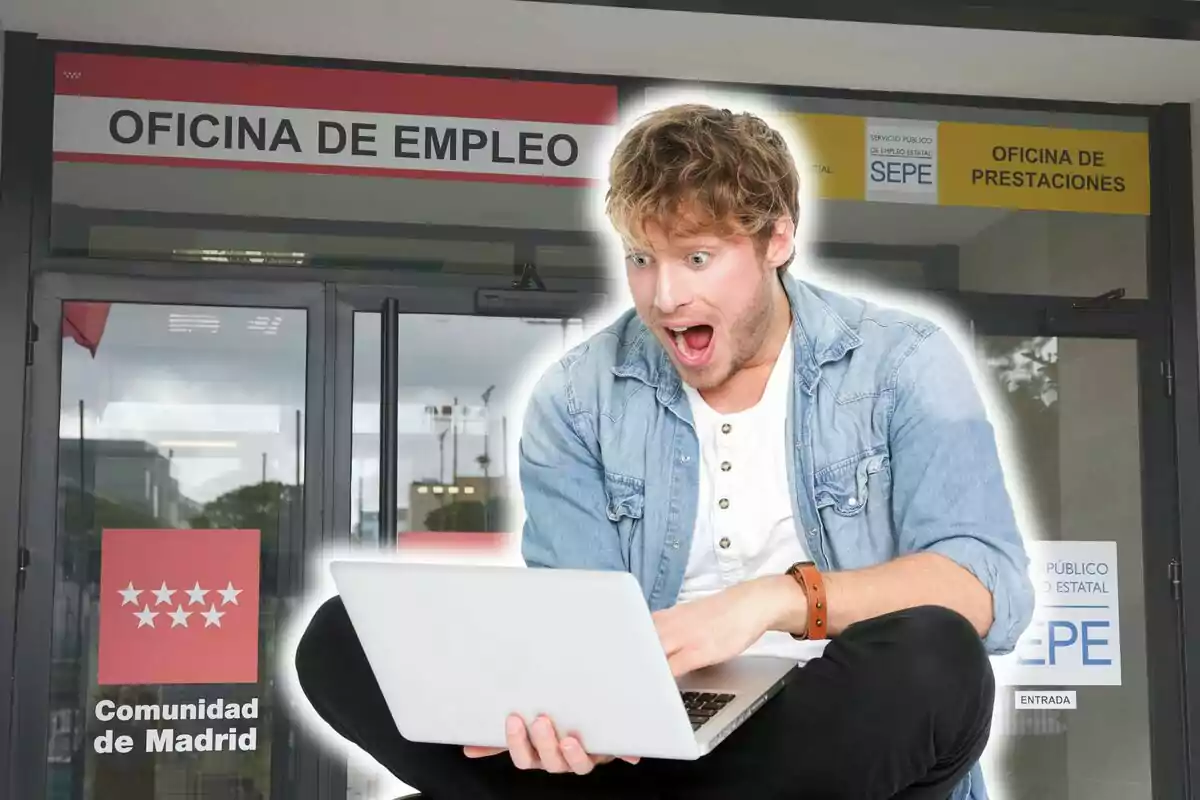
259 306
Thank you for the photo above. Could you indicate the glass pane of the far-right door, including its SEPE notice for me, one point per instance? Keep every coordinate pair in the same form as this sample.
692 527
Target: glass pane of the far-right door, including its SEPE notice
1072 412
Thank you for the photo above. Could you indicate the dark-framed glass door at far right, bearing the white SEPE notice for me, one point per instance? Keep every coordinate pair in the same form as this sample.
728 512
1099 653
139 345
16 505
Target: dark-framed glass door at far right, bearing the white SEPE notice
1083 408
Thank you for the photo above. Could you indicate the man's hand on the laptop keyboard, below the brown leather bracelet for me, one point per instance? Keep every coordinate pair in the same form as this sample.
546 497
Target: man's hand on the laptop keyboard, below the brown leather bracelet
719 628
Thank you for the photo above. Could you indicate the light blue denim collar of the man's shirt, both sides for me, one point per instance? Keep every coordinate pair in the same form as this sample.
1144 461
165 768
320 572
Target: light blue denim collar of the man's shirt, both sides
820 336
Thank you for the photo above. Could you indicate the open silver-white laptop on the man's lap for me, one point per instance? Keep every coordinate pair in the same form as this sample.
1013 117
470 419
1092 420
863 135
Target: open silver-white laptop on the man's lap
458 649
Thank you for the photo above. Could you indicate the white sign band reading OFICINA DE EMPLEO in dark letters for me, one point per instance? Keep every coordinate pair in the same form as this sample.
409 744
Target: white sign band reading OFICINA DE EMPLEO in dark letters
98 128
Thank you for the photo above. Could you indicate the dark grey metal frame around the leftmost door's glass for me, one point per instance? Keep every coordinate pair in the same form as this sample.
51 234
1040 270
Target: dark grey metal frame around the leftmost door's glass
39 533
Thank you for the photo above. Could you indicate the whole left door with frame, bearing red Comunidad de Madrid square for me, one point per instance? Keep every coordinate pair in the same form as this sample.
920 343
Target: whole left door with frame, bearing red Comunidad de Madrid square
176 430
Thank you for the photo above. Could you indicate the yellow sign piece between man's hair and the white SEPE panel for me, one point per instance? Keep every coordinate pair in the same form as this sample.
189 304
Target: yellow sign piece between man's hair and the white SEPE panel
835 147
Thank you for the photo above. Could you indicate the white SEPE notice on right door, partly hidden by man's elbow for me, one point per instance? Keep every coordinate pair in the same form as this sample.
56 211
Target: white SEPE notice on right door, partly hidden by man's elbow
1076 636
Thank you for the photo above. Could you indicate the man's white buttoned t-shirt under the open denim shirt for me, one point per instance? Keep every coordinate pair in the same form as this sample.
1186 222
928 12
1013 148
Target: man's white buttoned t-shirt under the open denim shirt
746 526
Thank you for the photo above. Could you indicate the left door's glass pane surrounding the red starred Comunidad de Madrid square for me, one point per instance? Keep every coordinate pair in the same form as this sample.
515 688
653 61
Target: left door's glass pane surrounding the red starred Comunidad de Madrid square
171 418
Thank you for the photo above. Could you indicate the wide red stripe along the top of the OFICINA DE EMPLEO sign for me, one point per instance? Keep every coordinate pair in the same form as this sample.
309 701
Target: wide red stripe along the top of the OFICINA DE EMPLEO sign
92 75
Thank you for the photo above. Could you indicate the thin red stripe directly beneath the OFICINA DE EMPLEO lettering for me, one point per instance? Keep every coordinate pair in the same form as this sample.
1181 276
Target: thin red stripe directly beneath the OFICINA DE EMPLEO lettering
317 170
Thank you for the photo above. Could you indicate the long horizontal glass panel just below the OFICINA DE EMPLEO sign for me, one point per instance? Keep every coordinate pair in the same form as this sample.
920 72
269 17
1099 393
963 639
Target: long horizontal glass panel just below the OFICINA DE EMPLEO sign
239 216
